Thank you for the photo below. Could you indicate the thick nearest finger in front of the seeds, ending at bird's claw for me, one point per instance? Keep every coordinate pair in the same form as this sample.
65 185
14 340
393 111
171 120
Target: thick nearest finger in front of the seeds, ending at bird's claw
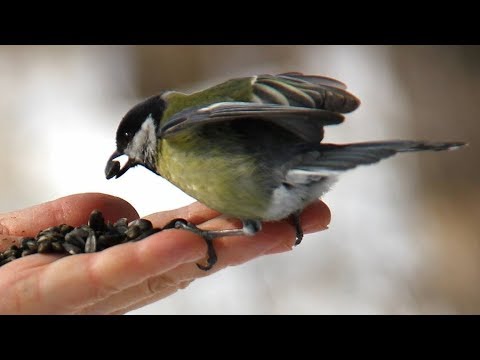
74 282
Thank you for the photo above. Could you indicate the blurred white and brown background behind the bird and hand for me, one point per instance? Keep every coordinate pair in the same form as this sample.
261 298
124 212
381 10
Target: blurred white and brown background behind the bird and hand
405 233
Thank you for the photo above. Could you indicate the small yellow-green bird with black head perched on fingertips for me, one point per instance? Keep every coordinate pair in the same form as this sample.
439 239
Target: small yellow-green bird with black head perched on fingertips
250 147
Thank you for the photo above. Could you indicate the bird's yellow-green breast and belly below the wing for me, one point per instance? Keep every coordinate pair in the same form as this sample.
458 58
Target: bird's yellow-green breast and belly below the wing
226 182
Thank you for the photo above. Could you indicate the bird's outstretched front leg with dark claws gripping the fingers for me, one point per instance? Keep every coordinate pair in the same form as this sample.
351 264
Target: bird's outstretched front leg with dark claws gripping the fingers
250 228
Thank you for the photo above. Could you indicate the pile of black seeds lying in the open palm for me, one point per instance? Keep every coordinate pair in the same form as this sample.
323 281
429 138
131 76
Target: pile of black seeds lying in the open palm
97 235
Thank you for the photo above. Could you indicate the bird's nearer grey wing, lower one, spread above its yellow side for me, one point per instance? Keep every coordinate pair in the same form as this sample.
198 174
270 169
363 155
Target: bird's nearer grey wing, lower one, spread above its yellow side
305 123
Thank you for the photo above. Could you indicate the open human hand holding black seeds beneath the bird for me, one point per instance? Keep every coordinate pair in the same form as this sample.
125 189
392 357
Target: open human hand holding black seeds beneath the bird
131 275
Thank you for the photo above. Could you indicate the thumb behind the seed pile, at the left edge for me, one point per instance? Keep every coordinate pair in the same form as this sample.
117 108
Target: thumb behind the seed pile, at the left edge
72 210
